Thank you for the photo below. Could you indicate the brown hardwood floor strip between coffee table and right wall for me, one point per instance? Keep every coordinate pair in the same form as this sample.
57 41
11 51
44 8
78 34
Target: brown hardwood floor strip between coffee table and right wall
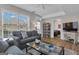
59 42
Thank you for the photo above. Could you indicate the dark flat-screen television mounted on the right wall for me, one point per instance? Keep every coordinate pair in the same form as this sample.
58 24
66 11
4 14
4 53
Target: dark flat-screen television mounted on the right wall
70 26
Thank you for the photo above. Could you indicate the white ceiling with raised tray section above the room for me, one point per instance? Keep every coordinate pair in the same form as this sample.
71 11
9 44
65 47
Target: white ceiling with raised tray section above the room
51 10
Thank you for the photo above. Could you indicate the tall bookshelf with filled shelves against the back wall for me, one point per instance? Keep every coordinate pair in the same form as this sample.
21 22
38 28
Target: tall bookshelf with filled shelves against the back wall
46 30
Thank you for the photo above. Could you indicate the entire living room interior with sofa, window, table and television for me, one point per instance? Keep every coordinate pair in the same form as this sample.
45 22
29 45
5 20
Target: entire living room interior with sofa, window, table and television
40 29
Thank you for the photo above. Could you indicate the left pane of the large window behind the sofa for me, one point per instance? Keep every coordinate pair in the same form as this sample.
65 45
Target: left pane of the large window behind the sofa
10 23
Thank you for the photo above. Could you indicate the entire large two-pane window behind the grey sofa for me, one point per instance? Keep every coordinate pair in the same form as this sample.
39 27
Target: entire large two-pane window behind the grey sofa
11 21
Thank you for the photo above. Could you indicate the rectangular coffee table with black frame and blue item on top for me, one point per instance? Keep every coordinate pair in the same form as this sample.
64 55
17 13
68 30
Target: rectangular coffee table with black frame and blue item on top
43 49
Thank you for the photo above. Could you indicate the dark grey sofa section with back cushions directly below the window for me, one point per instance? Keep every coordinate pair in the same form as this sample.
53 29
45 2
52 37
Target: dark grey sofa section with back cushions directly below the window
21 41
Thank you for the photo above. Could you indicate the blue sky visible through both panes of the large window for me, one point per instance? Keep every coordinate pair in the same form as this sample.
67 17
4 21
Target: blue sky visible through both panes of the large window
8 17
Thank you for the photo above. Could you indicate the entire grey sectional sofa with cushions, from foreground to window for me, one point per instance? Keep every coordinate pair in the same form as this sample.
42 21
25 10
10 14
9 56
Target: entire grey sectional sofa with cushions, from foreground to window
18 43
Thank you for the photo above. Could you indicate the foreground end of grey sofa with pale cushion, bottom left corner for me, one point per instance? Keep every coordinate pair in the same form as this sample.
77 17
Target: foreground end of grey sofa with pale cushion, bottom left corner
6 49
